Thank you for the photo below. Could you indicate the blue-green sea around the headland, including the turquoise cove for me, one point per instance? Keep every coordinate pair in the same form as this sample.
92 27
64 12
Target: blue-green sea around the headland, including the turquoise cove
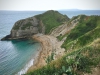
16 56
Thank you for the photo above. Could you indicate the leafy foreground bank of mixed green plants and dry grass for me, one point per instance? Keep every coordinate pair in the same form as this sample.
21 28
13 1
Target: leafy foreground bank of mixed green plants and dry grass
75 63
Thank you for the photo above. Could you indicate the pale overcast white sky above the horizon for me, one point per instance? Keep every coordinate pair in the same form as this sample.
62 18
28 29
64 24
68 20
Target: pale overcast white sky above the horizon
49 4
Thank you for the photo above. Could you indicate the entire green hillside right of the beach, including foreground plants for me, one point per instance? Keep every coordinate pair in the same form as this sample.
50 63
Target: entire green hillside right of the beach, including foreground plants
82 47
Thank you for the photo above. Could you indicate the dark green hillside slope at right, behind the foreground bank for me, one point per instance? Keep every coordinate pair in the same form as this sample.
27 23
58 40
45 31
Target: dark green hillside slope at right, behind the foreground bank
84 33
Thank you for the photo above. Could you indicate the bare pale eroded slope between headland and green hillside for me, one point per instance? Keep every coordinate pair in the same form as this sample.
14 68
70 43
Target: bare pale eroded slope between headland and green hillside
64 28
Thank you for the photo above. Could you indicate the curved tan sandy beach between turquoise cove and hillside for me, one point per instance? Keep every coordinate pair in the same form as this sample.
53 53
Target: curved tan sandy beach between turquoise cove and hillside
49 44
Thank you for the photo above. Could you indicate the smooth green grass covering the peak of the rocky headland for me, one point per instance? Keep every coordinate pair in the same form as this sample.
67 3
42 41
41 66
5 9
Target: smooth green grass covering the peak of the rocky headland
51 19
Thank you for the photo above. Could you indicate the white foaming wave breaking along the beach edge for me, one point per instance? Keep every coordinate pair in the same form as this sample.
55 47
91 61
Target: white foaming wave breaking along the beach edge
25 69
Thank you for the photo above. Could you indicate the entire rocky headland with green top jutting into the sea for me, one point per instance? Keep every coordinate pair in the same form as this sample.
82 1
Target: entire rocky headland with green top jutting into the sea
42 23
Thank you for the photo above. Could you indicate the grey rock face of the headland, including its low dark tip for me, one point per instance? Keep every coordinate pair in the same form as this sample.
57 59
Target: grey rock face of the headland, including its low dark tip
25 28
